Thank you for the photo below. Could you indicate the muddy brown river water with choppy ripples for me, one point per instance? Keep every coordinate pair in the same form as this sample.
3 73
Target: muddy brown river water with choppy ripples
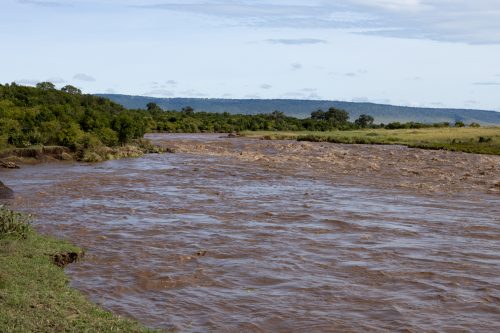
244 235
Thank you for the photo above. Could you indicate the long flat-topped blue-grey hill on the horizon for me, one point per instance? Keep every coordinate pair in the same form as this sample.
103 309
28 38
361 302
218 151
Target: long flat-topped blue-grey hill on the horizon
302 108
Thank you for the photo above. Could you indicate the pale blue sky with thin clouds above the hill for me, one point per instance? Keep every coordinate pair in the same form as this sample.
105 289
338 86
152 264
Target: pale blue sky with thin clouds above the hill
434 53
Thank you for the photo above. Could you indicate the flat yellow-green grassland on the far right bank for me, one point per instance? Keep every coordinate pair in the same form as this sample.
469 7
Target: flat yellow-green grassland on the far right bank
482 140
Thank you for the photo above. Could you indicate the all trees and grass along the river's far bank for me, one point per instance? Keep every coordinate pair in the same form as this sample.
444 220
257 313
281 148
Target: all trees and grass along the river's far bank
92 128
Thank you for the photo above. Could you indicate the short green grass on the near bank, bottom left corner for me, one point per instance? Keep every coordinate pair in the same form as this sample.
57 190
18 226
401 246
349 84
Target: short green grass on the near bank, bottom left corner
34 291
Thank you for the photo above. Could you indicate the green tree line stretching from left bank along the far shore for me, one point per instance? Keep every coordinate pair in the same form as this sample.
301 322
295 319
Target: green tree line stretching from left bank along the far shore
44 115
